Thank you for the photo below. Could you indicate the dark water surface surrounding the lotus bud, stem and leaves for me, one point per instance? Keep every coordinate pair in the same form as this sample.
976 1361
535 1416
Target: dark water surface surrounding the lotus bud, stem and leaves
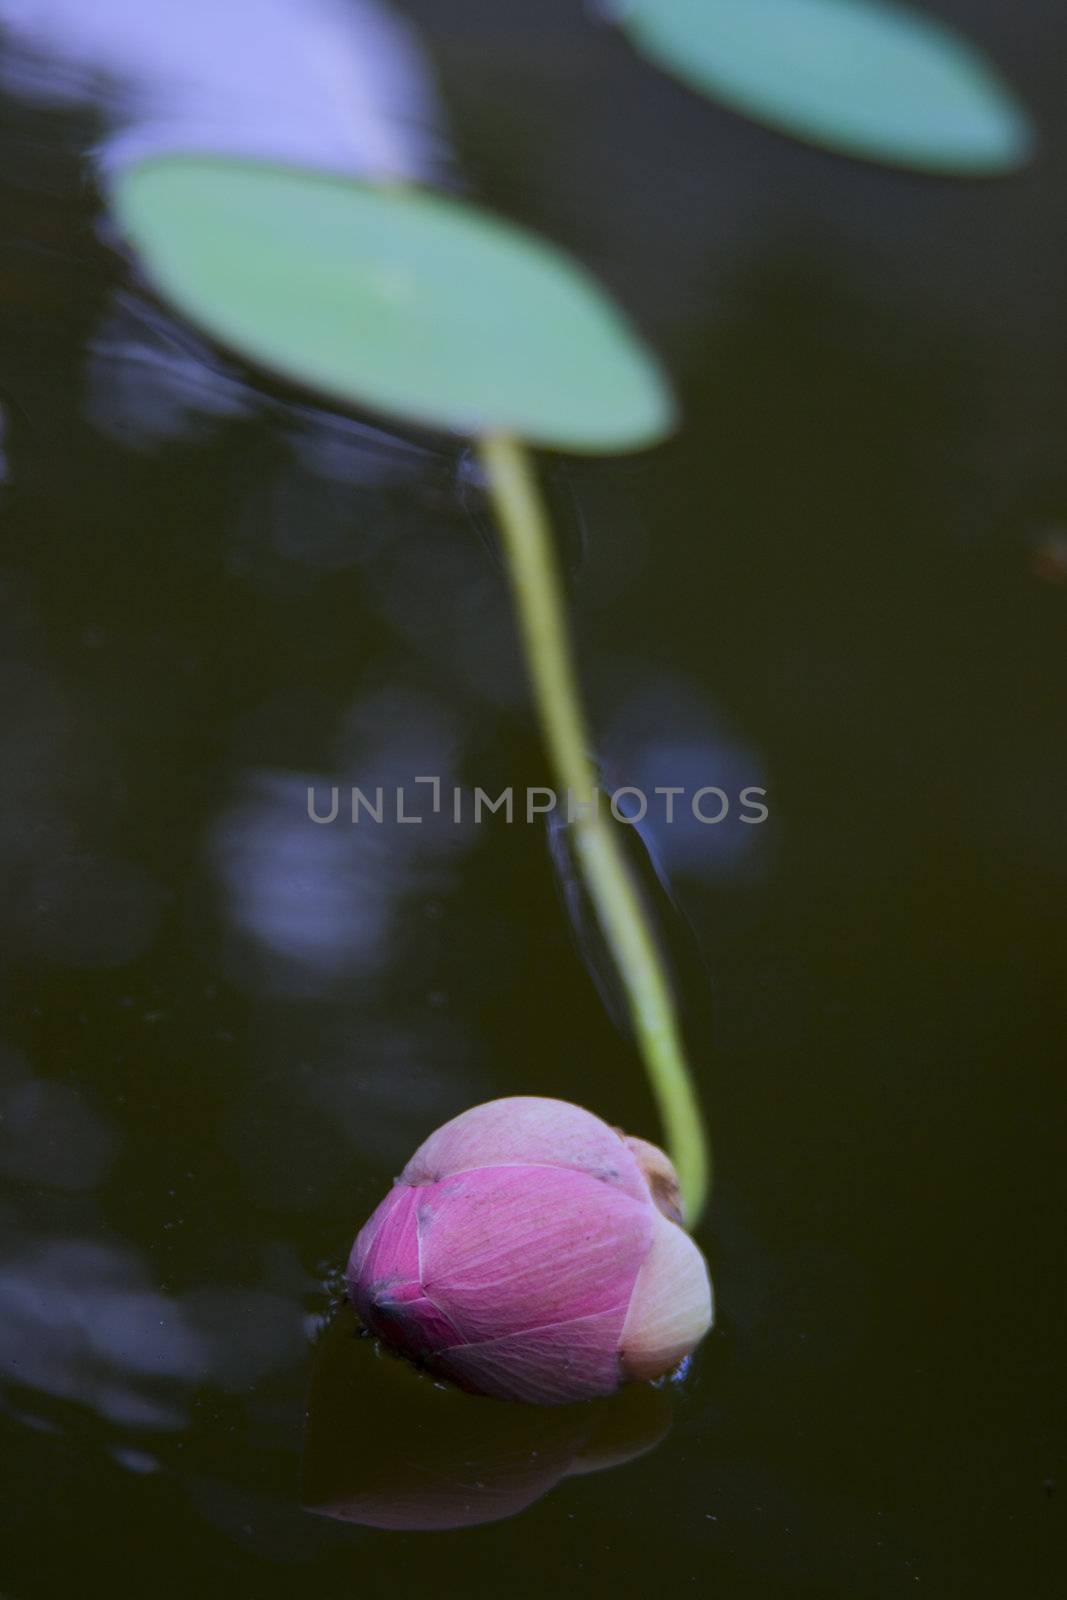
225 1030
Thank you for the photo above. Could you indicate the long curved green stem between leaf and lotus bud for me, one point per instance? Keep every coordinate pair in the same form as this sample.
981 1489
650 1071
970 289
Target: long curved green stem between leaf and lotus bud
532 567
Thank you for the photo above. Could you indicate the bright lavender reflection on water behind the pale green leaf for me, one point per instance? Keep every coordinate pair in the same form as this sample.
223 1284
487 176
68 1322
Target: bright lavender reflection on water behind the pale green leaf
335 84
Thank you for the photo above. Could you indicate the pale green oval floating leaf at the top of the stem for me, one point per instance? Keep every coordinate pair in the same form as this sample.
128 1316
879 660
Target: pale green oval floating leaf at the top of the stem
396 300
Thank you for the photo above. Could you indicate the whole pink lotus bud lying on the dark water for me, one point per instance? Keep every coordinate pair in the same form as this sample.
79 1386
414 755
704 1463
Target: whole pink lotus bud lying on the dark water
533 1254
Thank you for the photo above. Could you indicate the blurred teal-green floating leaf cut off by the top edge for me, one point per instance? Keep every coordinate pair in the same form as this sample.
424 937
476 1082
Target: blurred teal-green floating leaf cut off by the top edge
866 78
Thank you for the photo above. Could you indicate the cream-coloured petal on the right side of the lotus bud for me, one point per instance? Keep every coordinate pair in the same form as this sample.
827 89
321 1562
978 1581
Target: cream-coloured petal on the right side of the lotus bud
671 1308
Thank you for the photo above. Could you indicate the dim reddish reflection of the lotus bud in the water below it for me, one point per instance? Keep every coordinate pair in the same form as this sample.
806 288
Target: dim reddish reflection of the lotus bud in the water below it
391 1449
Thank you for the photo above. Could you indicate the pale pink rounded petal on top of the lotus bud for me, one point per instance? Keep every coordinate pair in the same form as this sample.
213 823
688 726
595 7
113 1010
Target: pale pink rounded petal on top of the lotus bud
530 1130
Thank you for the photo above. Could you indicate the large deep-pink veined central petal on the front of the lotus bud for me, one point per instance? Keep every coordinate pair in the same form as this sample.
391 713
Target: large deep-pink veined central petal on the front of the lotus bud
514 1249
